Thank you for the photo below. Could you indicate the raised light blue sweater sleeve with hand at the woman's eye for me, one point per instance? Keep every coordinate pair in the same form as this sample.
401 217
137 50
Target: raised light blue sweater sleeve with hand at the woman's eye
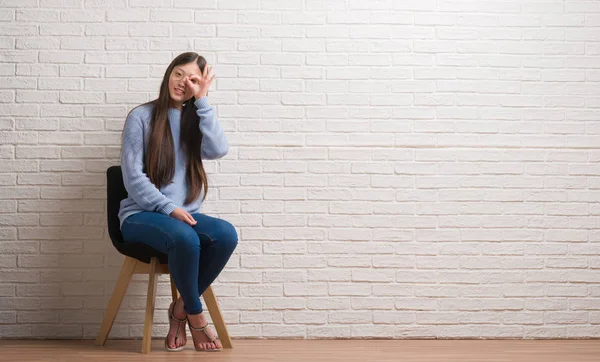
214 142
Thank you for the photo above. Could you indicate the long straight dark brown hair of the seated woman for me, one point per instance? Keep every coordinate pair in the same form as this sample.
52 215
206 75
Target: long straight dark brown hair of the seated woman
160 158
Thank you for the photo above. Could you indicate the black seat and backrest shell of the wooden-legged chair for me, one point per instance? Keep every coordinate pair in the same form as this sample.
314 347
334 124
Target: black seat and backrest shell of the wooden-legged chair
115 192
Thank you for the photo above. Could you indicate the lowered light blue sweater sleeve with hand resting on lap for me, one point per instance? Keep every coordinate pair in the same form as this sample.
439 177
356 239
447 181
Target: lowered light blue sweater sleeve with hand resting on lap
138 185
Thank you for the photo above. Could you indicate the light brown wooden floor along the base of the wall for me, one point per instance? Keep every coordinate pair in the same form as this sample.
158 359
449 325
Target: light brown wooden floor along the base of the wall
312 351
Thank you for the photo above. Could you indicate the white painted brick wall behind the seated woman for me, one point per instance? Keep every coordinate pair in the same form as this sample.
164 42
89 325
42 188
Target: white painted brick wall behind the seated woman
399 168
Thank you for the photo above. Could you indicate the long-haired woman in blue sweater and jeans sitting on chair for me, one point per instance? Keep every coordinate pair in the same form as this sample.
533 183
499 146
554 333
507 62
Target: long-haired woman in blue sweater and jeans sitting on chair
164 143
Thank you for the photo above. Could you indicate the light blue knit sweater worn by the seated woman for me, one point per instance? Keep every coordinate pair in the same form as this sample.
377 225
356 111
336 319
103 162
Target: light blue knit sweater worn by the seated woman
143 194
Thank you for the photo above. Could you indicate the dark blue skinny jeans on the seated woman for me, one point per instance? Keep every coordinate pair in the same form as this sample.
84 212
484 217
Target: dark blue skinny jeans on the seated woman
197 254
